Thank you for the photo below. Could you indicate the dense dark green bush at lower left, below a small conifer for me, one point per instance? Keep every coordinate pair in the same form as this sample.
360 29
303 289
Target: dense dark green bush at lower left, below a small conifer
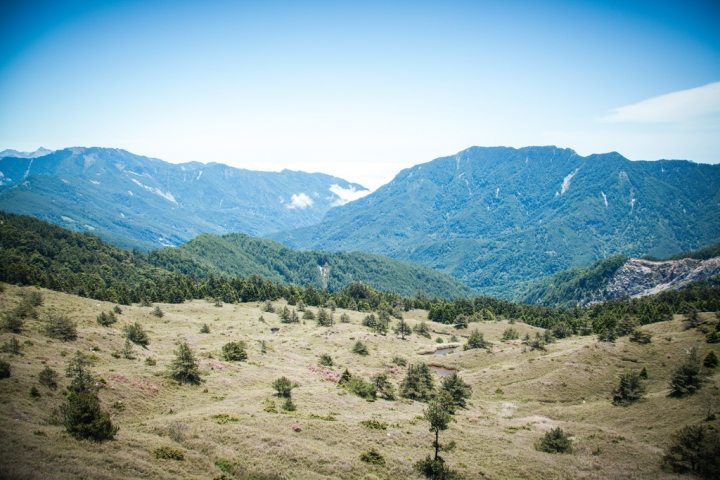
84 419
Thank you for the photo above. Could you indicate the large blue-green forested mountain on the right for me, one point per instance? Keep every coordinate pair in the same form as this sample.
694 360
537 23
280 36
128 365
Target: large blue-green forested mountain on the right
498 217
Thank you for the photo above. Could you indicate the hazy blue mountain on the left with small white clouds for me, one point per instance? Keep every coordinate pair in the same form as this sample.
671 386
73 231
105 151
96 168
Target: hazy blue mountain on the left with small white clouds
138 201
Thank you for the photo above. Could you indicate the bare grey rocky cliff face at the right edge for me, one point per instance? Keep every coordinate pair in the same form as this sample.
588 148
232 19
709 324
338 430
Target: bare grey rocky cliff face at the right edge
638 278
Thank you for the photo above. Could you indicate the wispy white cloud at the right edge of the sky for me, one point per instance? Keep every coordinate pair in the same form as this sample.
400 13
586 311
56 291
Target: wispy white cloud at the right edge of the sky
672 107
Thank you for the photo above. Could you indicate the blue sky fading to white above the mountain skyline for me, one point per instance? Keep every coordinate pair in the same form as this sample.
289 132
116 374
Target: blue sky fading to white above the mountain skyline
364 89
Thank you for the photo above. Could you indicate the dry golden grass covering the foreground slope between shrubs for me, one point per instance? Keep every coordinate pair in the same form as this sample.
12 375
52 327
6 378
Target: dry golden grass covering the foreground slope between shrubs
517 395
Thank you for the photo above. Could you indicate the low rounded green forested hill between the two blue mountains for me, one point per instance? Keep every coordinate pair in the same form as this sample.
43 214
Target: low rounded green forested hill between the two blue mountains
242 255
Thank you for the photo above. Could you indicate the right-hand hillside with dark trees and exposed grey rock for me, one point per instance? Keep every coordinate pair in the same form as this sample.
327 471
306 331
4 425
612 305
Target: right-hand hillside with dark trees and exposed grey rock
619 276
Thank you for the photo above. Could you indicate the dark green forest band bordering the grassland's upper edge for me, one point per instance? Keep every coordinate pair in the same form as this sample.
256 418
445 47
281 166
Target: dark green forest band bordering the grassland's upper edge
34 252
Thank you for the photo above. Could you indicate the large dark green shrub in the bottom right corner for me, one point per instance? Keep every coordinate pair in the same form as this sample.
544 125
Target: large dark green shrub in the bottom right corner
694 449
